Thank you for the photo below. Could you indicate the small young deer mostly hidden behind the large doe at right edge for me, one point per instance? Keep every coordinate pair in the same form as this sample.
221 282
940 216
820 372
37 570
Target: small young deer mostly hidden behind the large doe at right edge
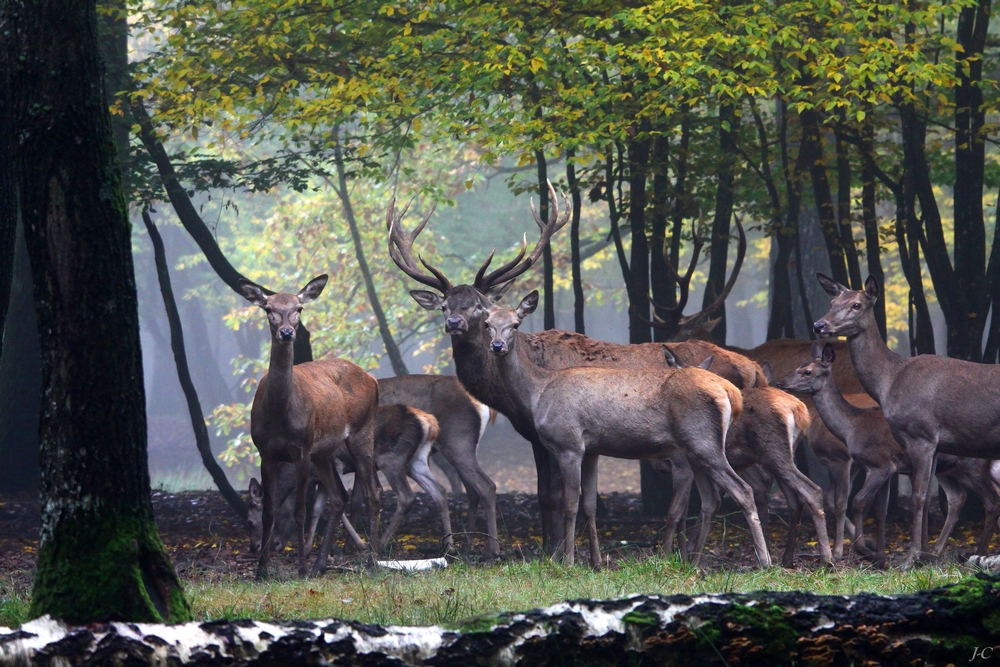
871 446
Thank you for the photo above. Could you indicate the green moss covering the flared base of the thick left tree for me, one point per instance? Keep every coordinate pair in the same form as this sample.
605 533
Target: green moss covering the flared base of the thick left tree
106 567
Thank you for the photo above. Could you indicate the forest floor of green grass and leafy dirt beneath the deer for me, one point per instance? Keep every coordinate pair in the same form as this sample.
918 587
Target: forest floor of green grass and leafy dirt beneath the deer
208 545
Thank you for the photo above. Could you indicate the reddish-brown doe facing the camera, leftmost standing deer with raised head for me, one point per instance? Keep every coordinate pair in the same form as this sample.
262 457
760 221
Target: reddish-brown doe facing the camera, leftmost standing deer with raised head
301 414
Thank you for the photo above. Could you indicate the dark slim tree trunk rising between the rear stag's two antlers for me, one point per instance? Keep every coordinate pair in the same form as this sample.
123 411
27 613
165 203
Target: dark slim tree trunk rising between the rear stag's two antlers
724 200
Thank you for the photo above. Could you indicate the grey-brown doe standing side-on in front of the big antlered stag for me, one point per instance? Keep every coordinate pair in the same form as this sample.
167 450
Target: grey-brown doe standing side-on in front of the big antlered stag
582 413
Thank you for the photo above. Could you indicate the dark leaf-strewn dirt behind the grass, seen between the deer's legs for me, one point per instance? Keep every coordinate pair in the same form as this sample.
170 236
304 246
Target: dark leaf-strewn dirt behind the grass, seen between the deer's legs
205 538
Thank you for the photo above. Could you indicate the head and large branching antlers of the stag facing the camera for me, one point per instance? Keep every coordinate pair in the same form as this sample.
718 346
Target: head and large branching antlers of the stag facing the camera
465 306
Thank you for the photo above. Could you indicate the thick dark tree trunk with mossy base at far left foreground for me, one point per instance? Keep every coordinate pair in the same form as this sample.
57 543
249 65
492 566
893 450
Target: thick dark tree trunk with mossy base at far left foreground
99 556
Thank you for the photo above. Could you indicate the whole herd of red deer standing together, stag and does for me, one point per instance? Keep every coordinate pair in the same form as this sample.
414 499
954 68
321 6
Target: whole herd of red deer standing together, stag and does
708 414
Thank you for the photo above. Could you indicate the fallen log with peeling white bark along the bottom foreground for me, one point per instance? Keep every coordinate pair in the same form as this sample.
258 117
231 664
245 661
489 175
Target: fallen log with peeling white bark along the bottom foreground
957 624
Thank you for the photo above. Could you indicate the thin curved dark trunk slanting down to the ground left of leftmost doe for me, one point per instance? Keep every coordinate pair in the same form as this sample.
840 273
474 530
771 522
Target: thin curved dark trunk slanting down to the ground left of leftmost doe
184 374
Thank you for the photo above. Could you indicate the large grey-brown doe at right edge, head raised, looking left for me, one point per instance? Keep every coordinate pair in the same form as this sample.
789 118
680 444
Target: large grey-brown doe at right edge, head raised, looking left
931 403
